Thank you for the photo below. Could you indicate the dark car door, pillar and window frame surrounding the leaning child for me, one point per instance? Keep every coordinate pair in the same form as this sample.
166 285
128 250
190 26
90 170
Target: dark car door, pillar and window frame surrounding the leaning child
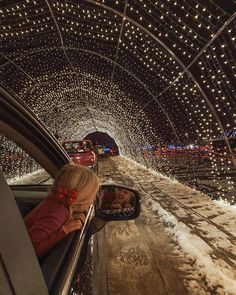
21 270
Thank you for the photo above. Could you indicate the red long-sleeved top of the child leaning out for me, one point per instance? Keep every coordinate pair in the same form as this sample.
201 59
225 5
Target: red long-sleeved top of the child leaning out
47 231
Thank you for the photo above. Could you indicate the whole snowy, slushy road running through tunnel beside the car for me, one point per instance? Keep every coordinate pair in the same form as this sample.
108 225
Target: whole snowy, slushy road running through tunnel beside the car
201 237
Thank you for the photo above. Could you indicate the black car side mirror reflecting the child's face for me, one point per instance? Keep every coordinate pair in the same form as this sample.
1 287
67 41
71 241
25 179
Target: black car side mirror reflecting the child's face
115 202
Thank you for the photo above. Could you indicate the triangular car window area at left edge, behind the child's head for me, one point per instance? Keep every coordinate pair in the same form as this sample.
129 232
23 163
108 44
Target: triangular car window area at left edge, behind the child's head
18 167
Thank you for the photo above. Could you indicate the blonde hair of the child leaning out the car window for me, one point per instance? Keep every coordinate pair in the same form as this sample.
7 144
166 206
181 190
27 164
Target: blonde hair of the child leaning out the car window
77 177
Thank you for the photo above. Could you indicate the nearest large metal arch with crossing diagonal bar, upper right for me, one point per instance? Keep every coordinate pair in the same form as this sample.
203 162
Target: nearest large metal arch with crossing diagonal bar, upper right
185 68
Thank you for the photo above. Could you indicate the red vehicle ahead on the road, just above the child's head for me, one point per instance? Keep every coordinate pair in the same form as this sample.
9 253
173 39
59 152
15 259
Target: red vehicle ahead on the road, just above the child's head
82 152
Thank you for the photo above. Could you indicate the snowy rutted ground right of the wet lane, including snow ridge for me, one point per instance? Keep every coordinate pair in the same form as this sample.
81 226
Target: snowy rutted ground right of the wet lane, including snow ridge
205 230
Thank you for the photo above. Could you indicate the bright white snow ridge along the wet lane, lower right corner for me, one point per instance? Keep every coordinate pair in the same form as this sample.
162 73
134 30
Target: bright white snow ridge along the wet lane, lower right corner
216 276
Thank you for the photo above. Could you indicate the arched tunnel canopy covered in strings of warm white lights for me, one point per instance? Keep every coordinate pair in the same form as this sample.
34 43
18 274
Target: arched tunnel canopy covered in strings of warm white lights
157 76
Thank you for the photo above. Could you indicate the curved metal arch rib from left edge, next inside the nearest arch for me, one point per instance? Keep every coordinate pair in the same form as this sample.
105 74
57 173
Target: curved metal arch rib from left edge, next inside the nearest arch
119 66
